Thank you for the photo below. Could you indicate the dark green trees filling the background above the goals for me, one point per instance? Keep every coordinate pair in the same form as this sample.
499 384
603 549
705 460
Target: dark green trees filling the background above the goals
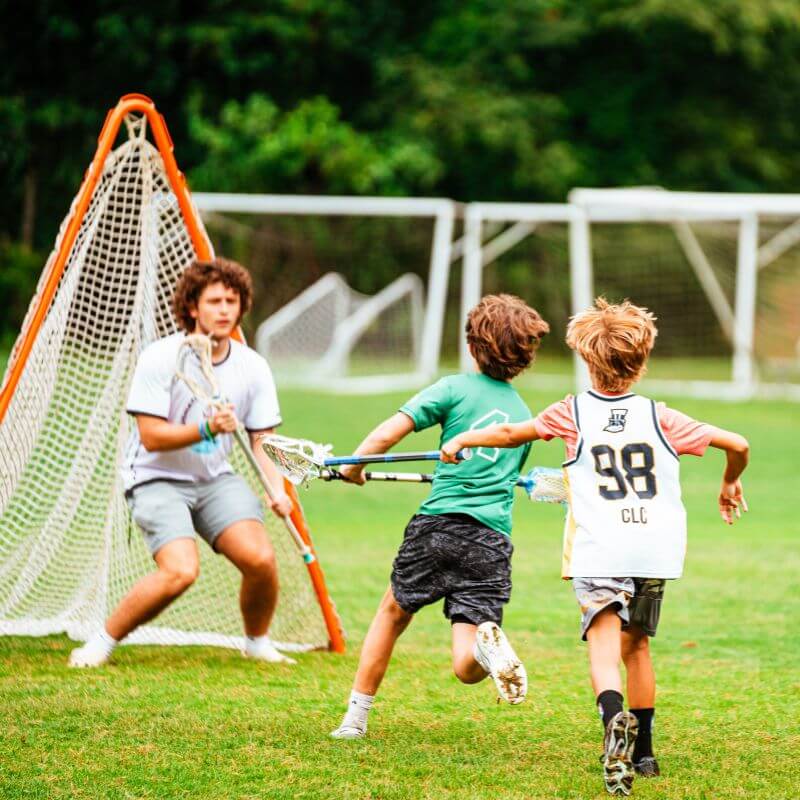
474 100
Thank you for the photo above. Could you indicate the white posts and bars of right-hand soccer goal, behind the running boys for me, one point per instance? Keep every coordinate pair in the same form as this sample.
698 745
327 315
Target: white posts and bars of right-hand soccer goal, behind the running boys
587 206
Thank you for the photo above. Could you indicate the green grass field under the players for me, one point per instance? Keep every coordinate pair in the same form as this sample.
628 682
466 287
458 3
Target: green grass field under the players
205 723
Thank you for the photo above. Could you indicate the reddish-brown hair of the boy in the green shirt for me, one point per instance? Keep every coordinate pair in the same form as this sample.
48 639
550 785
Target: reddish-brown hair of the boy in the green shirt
504 332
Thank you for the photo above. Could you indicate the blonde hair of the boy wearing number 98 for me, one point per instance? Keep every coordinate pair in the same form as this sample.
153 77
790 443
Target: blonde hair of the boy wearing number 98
615 341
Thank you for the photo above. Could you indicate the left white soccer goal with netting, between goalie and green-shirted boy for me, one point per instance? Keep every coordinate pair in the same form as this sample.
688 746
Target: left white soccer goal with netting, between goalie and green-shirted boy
353 289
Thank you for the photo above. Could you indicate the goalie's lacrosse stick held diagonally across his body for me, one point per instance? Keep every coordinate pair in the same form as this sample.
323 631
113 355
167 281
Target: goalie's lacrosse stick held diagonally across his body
198 347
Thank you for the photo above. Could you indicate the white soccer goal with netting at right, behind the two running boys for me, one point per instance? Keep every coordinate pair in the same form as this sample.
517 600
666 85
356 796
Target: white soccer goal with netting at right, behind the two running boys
721 273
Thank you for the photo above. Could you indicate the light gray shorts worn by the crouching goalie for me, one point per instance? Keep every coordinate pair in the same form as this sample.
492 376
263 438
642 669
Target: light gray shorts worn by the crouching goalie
168 510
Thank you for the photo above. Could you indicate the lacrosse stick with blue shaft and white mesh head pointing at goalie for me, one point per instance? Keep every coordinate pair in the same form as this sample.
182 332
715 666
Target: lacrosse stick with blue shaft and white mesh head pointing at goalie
301 460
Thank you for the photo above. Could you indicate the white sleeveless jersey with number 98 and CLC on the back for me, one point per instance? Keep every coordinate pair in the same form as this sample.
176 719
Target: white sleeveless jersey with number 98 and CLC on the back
626 517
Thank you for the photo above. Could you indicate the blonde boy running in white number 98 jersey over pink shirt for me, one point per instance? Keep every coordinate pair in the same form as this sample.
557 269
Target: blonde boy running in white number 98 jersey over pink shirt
625 532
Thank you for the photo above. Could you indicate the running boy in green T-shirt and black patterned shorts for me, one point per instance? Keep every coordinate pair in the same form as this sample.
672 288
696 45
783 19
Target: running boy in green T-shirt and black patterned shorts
458 547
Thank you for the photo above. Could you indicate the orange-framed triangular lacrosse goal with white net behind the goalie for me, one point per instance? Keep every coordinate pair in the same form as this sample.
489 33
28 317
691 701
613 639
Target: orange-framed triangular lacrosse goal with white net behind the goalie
68 551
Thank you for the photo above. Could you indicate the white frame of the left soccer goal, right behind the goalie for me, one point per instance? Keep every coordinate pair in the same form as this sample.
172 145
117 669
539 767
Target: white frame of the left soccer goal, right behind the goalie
443 213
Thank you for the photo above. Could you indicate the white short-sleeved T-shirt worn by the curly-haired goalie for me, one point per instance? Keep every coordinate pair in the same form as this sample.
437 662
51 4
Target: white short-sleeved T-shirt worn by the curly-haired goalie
244 378
